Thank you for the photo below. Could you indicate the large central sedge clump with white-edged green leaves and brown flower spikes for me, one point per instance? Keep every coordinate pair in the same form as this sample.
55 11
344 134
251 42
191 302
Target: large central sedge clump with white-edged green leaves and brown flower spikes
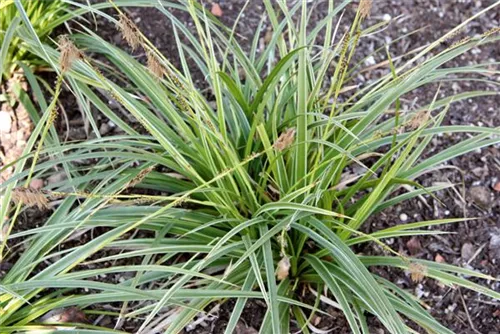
253 198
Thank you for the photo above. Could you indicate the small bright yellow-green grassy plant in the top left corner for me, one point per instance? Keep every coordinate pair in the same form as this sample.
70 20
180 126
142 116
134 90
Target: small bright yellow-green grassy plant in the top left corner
43 15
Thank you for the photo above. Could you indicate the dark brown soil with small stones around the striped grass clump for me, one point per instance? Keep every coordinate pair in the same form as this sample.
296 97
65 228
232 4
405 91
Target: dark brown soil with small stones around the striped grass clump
475 244
